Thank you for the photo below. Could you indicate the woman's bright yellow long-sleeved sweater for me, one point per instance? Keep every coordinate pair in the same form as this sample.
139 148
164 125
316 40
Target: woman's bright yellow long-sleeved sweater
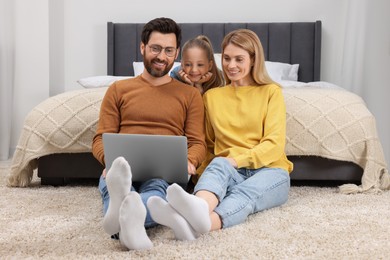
247 123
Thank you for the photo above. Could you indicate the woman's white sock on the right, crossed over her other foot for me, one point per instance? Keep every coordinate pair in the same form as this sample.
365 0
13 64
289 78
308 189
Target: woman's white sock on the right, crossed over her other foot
195 210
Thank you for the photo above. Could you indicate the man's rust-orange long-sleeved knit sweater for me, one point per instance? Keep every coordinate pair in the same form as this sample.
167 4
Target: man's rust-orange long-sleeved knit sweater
135 106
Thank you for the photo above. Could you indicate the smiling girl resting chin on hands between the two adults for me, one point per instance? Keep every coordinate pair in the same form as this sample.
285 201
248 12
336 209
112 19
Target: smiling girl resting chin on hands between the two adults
198 67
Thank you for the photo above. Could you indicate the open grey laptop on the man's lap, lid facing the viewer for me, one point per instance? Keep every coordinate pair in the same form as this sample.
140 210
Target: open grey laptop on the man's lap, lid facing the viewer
149 156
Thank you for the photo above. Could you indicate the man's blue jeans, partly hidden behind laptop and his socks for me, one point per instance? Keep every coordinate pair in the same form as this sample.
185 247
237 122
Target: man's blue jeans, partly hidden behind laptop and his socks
153 187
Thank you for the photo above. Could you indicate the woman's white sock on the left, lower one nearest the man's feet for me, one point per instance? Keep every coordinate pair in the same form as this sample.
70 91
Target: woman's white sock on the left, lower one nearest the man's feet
164 214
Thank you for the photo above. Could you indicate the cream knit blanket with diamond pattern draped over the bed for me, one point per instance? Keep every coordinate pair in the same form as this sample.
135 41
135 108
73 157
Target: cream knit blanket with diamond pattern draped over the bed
326 122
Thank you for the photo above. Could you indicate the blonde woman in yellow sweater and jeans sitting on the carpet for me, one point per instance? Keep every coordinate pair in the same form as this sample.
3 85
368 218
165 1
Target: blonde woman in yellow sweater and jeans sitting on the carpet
245 134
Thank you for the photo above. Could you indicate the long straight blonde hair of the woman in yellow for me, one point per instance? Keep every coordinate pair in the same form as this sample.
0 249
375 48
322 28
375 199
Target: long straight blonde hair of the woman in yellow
250 42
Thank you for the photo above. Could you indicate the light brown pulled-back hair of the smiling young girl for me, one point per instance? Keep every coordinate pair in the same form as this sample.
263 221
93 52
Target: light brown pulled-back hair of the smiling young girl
204 43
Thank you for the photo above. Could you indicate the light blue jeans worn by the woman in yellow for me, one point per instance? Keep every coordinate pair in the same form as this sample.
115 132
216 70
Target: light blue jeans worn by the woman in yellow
242 192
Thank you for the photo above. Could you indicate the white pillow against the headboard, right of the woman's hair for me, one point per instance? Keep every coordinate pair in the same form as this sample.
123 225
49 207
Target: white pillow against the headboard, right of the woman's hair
282 71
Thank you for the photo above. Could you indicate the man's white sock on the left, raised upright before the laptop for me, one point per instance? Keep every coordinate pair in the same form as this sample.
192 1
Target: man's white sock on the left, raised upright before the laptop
118 180
